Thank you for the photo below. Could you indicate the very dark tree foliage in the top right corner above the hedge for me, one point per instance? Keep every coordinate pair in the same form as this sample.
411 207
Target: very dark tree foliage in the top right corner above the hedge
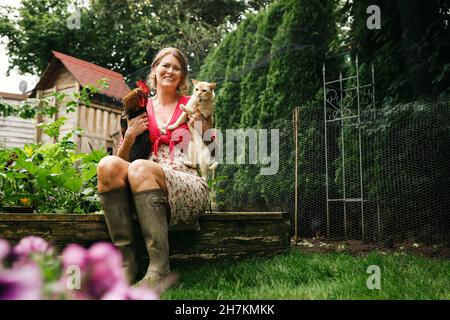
410 52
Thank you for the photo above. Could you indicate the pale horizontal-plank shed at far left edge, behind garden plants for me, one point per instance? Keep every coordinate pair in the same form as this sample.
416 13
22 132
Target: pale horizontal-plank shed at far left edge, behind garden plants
15 131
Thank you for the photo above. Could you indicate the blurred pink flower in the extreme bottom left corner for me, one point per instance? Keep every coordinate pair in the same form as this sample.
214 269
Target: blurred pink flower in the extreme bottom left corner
21 283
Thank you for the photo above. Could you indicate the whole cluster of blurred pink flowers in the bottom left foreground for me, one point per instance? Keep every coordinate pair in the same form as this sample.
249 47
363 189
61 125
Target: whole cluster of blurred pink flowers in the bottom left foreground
79 273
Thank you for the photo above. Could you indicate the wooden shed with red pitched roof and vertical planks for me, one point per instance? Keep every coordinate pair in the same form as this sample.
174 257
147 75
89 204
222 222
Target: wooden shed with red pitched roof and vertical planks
101 121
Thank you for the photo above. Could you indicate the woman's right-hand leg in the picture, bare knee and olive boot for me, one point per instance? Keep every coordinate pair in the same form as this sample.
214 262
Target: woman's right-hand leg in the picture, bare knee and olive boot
147 182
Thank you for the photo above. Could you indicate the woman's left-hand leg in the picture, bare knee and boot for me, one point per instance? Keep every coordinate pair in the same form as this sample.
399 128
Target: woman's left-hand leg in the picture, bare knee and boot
115 196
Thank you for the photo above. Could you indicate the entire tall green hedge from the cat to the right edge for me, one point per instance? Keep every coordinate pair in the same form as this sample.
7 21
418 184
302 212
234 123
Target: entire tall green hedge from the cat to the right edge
273 63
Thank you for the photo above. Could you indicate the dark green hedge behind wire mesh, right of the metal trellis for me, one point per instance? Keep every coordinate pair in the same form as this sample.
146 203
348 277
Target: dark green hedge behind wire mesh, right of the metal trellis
405 165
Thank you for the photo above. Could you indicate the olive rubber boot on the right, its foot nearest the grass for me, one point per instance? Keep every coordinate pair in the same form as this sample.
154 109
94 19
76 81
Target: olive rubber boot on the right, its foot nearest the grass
154 214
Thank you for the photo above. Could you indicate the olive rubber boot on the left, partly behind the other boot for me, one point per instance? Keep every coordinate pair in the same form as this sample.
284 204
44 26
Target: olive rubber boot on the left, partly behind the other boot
118 214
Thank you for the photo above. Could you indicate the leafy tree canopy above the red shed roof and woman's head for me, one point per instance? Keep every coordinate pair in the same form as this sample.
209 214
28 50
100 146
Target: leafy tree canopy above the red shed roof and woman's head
122 35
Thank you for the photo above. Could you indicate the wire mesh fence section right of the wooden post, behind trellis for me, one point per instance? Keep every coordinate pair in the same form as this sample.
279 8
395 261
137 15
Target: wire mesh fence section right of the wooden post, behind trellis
388 175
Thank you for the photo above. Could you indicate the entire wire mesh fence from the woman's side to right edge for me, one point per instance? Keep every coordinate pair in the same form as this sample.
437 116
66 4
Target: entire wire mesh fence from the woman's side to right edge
388 173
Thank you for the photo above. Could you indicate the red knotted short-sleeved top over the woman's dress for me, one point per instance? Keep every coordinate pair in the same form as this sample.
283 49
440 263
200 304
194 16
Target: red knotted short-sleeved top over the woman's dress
155 135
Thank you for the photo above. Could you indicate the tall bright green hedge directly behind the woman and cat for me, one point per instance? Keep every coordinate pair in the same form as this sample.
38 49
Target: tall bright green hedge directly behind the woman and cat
268 66
